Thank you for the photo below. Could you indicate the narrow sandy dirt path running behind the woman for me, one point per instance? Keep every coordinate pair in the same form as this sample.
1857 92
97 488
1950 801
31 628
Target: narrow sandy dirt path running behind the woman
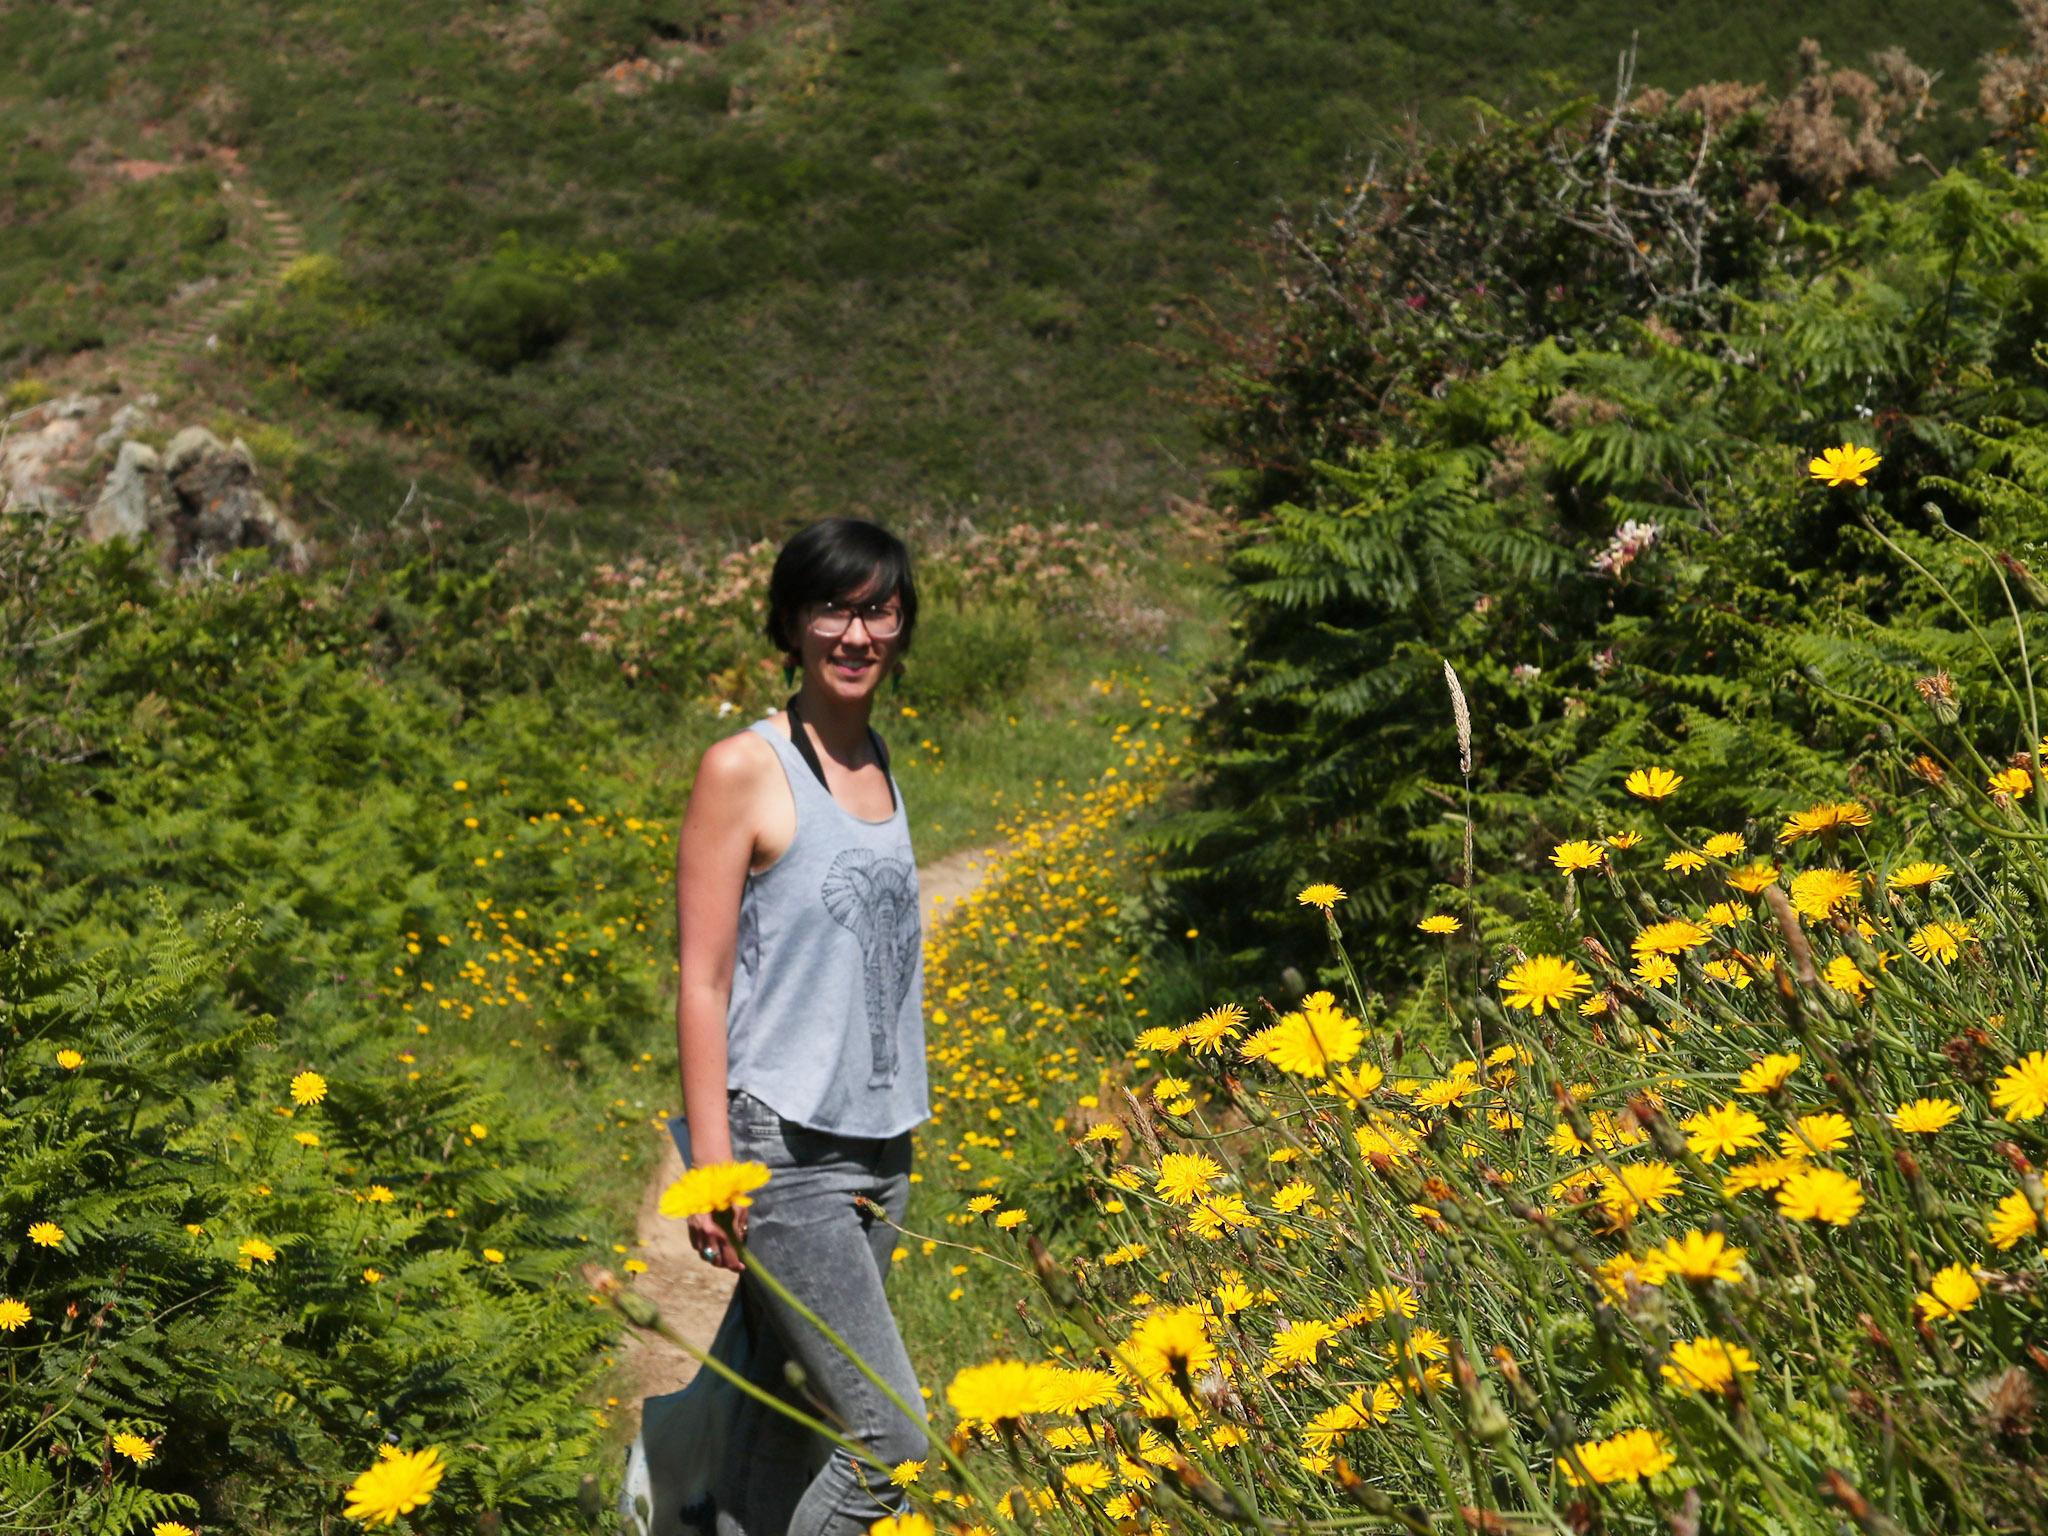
689 1291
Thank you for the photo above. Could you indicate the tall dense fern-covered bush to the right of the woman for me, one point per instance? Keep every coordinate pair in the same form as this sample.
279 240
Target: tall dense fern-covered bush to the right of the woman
1484 519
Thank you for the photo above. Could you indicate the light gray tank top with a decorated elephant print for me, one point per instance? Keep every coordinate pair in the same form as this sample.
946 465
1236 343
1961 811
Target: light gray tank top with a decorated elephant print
826 1017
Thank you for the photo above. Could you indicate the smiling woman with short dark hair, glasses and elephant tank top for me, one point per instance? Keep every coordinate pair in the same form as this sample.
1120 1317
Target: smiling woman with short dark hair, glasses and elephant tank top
800 1027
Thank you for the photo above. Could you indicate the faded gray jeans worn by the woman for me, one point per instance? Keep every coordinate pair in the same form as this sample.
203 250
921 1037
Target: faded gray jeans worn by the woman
806 1232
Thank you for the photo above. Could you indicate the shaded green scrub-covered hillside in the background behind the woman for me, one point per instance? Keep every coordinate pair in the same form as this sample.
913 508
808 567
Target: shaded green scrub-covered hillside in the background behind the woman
867 257
